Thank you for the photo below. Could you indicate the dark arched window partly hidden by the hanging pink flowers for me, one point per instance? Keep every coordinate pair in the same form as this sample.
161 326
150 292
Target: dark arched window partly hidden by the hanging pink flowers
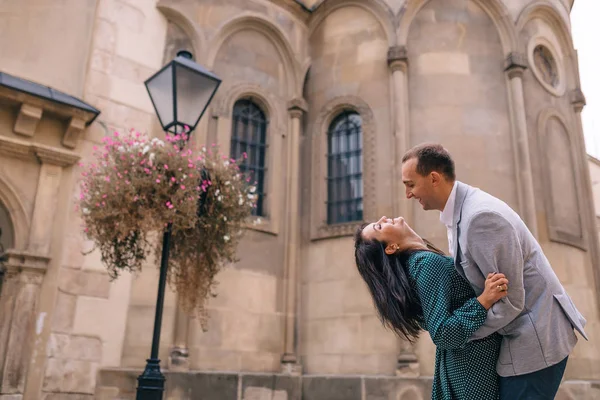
249 135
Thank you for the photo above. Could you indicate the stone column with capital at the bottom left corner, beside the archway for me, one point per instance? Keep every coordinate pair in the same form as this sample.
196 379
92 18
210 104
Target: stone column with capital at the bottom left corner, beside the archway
18 303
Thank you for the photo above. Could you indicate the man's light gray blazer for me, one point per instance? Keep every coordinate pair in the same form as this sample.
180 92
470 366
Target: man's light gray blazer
537 319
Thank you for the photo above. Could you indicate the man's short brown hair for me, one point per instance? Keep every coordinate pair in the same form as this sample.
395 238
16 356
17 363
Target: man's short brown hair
432 157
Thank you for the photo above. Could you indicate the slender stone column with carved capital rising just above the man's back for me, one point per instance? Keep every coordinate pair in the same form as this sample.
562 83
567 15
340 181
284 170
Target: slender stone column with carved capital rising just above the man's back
515 65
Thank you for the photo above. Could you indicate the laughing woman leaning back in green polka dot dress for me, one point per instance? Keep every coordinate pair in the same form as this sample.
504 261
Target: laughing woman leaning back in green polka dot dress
414 287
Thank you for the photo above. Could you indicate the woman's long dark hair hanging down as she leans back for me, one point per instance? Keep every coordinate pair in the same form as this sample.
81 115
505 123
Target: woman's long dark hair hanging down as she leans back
386 276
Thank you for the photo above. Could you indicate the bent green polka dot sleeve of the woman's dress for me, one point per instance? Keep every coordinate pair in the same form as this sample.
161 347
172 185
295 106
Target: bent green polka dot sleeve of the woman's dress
448 329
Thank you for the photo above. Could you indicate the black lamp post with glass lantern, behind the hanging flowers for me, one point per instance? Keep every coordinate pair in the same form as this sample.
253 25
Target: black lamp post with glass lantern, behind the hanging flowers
180 92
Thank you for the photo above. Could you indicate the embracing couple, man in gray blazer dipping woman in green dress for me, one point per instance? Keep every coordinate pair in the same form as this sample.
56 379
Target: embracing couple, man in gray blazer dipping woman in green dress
502 323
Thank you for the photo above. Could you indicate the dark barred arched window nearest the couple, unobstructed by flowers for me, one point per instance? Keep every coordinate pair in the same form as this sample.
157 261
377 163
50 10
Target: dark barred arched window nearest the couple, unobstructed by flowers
344 169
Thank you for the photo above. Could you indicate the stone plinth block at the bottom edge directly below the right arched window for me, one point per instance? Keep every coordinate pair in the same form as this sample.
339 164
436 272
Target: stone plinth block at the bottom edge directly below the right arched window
331 388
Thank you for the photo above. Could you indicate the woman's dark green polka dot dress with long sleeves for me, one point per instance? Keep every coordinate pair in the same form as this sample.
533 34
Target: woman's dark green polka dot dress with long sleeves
451 314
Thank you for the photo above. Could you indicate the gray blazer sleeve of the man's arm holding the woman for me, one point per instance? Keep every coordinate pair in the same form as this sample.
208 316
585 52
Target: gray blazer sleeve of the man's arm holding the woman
494 246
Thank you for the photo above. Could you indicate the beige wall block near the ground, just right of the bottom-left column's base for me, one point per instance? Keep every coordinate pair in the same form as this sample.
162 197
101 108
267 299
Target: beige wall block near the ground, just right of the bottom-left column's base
72 376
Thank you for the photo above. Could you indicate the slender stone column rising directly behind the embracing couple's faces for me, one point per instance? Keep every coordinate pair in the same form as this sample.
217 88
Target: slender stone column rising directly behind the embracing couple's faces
408 362
